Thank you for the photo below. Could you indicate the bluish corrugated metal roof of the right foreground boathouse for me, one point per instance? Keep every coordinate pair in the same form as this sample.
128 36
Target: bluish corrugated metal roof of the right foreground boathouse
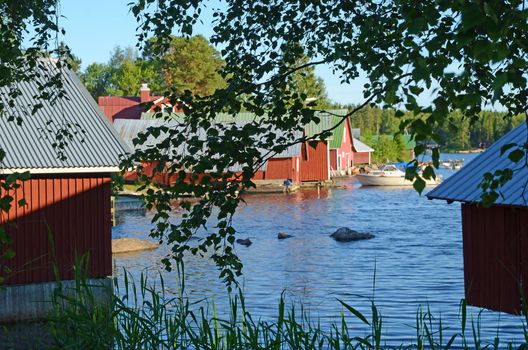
463 185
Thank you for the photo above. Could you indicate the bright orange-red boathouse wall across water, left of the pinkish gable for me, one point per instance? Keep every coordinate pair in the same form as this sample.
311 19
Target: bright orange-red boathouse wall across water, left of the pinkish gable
314 162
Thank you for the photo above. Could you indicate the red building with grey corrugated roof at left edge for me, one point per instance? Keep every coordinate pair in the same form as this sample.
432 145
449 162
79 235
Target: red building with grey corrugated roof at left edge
68 210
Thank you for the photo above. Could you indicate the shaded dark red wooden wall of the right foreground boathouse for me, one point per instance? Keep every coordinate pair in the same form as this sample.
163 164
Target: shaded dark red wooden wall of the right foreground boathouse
495 256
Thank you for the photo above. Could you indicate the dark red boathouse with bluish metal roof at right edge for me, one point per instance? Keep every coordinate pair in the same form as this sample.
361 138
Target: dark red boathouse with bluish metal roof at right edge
496 238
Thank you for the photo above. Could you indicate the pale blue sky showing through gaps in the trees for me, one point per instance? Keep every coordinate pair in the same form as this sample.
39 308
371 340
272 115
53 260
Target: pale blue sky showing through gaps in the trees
95 27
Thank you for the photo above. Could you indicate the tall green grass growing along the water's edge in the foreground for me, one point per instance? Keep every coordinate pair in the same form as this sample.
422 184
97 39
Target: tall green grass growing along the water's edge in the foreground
143 315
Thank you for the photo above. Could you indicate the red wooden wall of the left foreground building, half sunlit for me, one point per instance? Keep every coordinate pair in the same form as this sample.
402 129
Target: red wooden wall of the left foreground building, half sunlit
77 211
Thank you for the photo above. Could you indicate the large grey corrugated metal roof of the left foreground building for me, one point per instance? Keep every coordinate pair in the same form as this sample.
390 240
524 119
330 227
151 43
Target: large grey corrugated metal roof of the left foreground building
29 146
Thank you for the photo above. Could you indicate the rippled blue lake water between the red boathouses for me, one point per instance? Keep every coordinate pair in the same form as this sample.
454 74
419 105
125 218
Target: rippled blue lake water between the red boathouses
416 257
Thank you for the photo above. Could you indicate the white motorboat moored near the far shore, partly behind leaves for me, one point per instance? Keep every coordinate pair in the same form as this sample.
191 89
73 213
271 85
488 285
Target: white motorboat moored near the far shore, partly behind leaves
389 175
